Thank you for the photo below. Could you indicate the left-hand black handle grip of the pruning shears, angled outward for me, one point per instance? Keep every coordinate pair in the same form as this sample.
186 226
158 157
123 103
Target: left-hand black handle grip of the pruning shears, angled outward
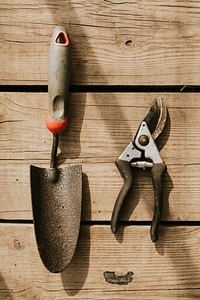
126 173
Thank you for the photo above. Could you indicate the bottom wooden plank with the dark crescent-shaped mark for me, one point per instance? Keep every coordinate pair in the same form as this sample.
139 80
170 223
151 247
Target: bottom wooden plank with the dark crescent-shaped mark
166 270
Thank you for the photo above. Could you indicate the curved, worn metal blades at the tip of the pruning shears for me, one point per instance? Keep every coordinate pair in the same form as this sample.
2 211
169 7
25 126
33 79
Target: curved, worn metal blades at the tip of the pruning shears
156 117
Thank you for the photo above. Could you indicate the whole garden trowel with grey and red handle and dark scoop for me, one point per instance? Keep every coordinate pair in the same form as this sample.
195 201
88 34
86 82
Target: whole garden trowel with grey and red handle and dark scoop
57 192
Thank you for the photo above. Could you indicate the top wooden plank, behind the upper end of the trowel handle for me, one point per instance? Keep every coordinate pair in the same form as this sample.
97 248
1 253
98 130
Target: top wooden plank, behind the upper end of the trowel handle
113 42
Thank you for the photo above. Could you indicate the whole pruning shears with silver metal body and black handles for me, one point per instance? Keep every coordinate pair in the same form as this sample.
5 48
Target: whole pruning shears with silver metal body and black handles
143 153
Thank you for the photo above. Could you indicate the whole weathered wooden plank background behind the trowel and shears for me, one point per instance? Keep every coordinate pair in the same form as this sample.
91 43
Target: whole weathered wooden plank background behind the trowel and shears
116 46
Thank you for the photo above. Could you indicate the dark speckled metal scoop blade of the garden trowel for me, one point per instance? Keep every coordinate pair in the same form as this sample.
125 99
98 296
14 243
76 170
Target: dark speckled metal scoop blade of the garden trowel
56 213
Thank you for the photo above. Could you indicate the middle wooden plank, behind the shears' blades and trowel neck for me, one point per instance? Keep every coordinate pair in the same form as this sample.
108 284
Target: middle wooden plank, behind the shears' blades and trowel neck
101 126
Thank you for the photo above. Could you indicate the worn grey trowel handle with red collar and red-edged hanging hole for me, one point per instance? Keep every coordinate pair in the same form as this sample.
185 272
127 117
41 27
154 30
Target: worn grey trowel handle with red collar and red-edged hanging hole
58 80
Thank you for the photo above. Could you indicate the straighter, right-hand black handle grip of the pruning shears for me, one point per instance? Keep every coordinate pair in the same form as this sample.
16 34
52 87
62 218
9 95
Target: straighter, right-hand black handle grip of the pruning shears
157 172
